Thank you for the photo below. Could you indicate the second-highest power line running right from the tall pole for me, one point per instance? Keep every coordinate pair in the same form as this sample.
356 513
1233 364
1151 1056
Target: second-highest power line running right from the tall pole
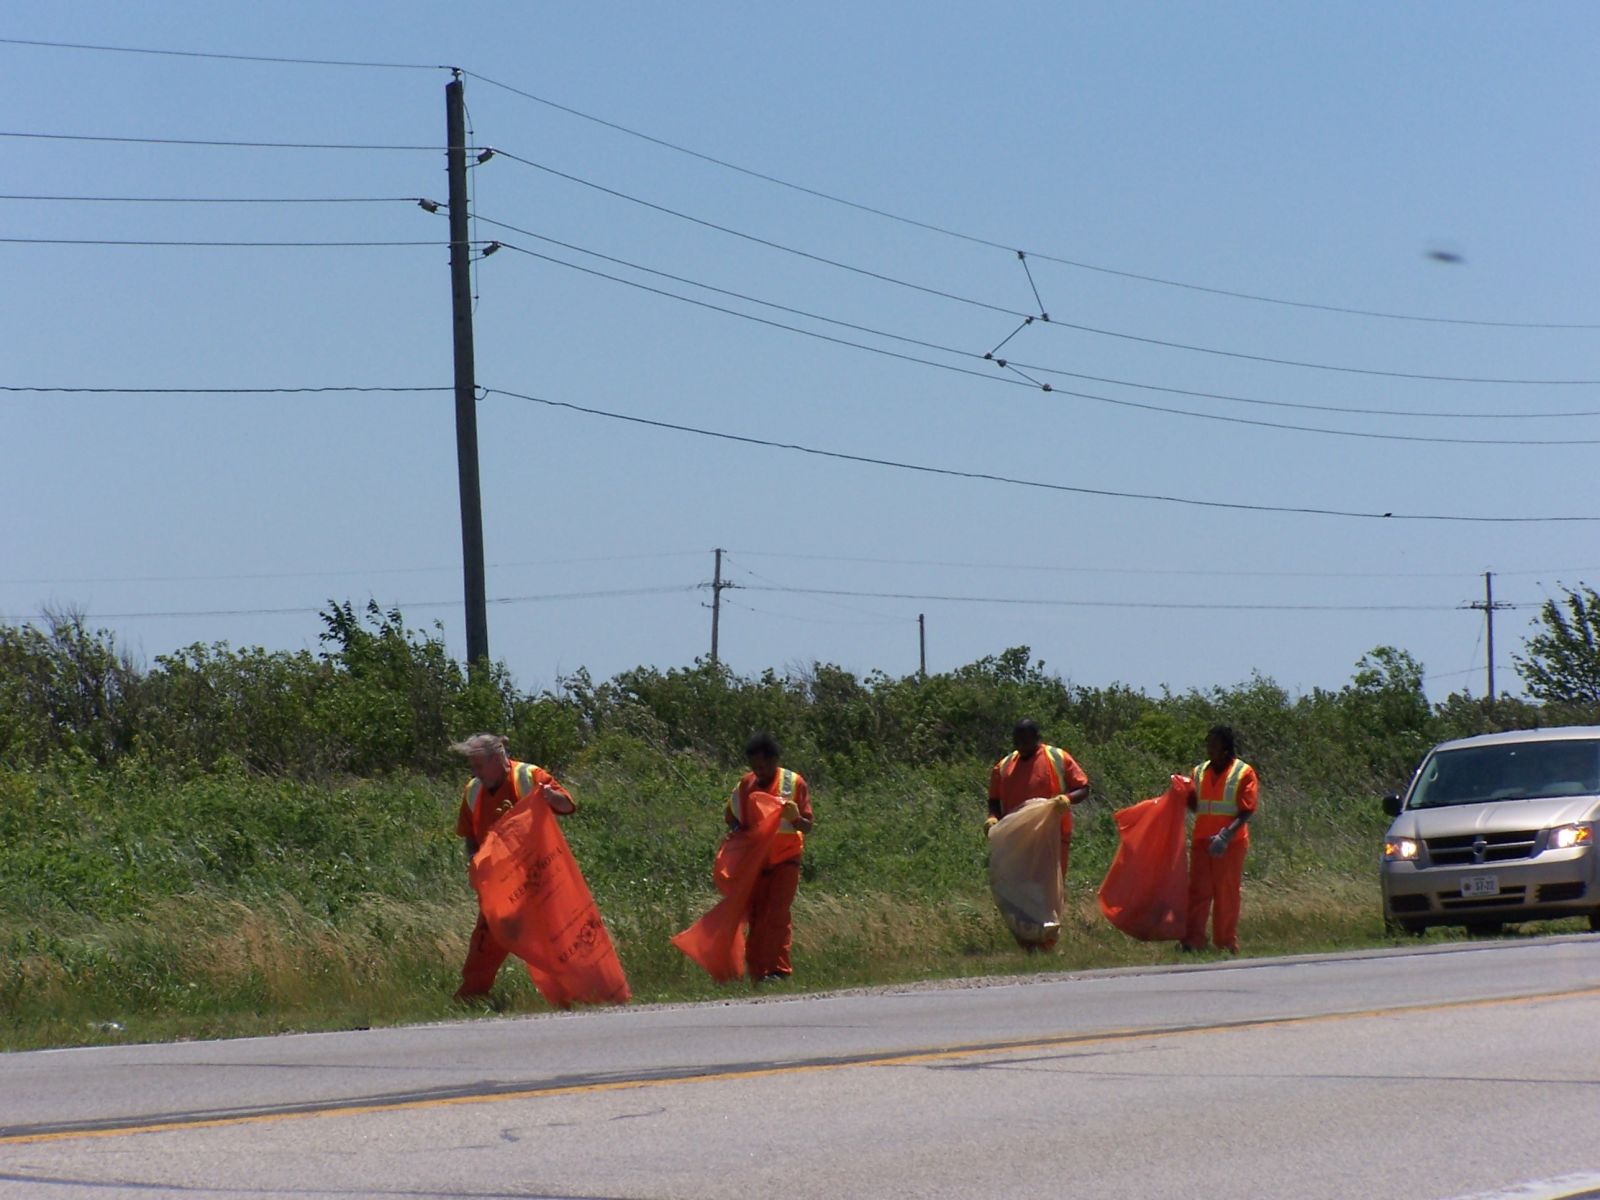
1002 310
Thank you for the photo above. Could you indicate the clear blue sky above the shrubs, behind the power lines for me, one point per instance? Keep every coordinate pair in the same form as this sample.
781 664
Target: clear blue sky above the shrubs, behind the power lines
1303 153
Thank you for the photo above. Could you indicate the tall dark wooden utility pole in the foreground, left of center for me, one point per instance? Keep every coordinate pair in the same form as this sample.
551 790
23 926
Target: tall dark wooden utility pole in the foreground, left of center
466 378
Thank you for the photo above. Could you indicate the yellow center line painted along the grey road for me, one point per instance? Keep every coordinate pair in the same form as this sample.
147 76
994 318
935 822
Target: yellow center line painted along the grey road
887 1060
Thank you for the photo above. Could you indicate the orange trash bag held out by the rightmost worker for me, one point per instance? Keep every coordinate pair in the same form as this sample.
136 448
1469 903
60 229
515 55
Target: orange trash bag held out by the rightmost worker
1146 890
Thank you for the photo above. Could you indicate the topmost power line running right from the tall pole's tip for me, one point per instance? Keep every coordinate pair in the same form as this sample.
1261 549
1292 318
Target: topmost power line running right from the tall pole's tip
974 239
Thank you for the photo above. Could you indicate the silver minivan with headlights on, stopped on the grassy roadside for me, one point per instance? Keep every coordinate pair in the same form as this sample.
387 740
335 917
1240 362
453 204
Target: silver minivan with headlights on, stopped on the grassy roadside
1494 830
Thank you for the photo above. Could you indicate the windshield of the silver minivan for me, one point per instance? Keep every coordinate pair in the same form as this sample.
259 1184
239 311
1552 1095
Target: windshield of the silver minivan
1513 772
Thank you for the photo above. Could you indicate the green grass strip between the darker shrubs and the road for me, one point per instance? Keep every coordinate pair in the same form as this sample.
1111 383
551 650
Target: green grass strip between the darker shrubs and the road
146 906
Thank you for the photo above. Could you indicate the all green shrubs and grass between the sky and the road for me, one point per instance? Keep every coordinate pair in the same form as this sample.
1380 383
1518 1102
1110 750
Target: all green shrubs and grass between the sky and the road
246 841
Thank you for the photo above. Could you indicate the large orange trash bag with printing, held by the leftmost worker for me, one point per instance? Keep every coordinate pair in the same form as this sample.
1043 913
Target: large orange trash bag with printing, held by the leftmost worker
538 906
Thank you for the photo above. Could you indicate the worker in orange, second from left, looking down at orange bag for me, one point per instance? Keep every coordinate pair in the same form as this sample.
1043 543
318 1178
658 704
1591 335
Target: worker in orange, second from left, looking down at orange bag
772 927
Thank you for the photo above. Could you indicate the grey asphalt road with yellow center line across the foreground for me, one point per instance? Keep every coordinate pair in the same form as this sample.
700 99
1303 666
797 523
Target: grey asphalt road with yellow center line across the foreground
1446 1073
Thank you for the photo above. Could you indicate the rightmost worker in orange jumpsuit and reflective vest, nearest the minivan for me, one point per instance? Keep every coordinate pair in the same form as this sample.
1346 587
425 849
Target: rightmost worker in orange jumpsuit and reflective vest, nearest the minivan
1223 798
